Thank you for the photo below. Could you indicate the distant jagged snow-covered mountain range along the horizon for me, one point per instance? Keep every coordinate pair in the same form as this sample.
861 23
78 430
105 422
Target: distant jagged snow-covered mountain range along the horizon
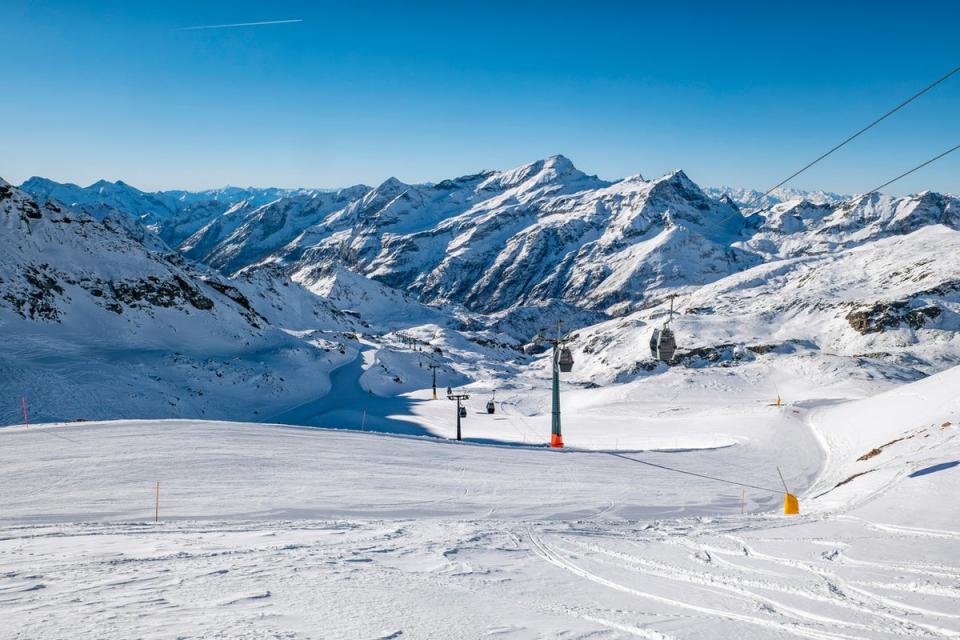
490 241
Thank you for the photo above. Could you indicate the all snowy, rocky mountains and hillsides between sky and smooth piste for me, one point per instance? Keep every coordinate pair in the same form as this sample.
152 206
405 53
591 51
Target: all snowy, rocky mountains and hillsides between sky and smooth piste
275 282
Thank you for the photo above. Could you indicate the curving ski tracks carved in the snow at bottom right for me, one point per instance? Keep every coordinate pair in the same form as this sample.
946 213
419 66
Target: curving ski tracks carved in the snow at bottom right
716 576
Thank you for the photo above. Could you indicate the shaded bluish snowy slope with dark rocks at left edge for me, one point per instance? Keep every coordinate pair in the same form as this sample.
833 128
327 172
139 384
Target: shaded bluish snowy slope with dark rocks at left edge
99 324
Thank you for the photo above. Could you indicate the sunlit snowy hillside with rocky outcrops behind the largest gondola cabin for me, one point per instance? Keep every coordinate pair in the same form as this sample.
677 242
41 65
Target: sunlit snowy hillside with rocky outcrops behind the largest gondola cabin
889 308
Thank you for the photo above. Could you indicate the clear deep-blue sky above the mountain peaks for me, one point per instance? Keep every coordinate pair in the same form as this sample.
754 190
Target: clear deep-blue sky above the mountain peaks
736 93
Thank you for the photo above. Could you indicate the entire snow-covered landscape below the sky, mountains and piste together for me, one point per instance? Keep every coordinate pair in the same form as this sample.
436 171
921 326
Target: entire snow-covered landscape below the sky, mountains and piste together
232 432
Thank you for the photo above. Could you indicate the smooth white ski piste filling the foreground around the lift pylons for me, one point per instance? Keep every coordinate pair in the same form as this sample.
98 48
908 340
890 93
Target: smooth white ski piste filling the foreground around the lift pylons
204 529
